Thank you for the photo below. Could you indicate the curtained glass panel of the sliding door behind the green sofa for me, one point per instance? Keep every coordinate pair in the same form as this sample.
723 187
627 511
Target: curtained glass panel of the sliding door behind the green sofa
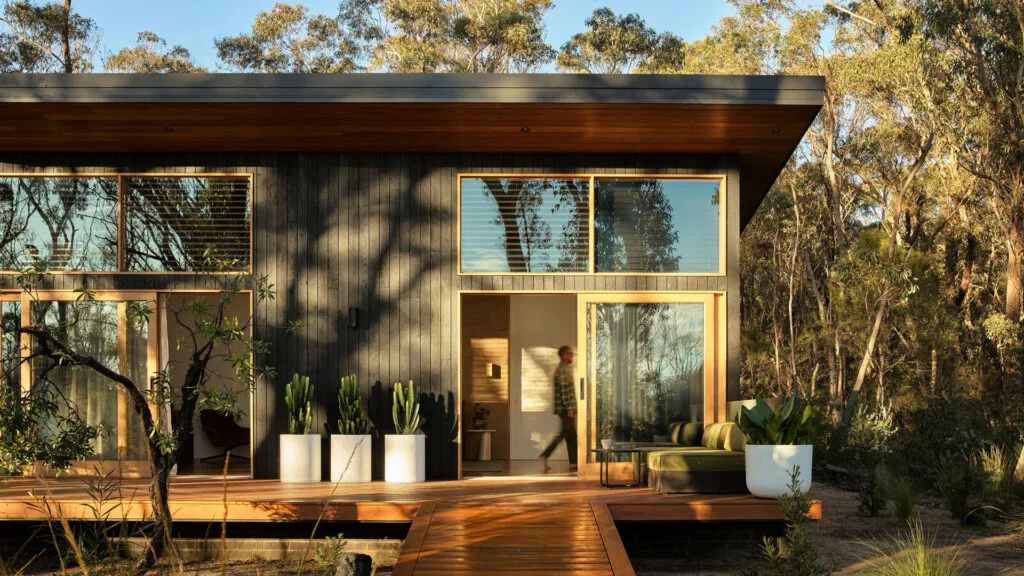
650 368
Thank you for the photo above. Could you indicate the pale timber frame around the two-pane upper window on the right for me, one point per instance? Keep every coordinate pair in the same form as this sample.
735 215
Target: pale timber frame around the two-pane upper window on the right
591 236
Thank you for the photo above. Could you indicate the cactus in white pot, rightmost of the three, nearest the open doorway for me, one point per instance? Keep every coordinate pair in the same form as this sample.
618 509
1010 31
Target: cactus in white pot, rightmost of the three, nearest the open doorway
406 450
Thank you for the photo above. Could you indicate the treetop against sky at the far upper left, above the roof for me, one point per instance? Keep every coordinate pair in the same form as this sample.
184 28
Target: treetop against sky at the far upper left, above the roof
47 37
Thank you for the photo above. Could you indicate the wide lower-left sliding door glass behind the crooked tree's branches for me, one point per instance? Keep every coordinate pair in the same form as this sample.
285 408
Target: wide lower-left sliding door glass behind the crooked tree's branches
90 328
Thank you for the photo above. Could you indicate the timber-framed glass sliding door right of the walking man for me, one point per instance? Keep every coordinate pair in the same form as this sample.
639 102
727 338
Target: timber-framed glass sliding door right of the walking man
647 360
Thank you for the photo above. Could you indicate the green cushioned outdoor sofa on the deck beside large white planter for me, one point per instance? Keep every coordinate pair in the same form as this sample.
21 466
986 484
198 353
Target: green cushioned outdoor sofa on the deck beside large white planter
711 461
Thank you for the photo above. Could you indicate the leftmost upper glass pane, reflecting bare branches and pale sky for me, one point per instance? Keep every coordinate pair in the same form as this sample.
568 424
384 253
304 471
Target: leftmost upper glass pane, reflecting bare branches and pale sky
70 224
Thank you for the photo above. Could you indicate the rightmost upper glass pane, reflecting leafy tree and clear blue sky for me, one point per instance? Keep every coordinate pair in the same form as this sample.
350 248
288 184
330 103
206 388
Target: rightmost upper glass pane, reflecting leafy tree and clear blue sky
658 226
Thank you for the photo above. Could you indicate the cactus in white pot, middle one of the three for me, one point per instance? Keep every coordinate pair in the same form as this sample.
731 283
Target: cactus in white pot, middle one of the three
352 455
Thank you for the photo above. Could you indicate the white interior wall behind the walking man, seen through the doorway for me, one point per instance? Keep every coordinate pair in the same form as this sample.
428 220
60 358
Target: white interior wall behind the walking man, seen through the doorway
540 324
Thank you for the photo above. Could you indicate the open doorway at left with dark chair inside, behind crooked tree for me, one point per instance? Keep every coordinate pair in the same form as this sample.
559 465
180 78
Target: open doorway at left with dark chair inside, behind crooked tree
215 434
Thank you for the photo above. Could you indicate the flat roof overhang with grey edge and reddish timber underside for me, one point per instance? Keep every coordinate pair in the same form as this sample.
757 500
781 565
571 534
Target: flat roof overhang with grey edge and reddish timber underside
759 118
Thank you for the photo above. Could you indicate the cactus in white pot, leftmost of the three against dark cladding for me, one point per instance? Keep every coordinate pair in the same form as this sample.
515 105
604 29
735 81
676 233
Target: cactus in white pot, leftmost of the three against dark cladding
301 451
